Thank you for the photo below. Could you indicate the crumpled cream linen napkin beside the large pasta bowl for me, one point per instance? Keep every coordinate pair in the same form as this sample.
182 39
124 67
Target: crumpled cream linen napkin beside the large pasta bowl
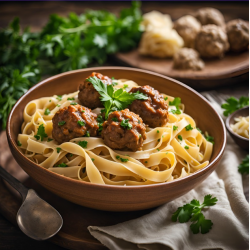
156 231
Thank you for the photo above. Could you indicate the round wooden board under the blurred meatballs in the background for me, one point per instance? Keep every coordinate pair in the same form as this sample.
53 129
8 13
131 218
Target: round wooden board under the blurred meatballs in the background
234 67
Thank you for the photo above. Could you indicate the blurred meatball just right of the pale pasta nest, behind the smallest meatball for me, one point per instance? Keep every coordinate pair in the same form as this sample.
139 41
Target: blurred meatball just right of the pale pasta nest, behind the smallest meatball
187 27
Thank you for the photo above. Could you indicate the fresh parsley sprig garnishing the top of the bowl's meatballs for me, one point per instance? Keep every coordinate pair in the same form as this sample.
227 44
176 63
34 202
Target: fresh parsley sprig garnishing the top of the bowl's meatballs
114 100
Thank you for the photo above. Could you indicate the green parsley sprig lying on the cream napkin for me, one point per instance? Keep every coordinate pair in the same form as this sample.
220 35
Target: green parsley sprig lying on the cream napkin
192 211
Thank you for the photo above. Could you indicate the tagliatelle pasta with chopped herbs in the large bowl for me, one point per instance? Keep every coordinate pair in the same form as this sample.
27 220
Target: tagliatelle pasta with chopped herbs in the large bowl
168 153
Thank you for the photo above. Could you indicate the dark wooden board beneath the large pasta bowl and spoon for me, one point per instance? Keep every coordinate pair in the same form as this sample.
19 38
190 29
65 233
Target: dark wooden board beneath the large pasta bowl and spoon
74 234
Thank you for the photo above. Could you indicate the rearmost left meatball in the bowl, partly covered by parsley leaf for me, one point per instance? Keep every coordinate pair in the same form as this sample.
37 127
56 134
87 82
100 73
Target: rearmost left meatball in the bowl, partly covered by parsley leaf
87 95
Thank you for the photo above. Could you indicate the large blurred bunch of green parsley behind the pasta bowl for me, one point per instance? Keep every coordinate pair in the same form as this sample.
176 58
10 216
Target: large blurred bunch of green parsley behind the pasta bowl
65 43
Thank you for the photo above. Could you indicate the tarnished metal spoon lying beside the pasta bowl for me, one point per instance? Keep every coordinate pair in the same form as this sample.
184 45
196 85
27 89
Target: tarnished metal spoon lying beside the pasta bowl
36 218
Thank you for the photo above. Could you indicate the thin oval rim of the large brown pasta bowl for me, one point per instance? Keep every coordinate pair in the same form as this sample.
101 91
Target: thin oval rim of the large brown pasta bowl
107 186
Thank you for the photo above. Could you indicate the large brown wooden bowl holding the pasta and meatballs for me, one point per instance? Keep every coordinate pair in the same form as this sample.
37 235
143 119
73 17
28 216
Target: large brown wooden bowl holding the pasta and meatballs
118 198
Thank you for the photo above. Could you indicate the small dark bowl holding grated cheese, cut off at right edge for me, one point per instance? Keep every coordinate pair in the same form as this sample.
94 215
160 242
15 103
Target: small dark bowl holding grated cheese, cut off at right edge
239 140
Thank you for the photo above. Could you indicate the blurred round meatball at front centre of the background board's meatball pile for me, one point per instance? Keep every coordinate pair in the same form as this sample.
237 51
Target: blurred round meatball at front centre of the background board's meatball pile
211 41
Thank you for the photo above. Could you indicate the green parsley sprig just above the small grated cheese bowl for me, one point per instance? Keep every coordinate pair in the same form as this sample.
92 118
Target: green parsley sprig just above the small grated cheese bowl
232 104
